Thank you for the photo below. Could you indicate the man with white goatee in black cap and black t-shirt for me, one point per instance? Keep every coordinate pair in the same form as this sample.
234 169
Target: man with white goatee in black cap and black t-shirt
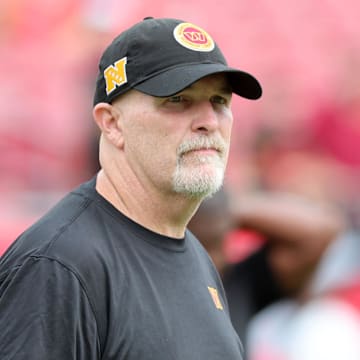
111 272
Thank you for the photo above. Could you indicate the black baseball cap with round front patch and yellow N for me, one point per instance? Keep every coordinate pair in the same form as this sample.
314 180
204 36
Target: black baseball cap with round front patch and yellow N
163 56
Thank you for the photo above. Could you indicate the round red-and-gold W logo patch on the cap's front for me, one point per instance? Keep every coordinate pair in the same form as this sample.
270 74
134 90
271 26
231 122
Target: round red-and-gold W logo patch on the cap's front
193 37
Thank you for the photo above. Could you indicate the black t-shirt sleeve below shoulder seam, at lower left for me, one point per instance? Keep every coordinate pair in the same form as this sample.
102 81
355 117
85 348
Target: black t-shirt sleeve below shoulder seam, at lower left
45 314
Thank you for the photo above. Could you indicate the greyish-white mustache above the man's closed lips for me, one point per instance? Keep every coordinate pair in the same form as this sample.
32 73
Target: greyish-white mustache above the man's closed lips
215 142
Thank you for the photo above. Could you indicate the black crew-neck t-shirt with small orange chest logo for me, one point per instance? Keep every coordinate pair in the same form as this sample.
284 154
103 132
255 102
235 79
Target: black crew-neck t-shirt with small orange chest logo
86 282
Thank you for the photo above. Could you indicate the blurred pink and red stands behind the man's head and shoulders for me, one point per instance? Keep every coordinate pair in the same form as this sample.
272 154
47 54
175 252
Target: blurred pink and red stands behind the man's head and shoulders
302 136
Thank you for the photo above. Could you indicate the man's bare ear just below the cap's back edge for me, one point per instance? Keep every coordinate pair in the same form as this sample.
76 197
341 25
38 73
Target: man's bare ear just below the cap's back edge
107 118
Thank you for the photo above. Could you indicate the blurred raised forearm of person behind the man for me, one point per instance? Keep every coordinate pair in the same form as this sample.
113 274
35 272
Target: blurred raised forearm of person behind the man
288 217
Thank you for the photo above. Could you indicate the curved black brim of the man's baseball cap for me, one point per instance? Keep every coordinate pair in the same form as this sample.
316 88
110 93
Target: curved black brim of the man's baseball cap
174 80
